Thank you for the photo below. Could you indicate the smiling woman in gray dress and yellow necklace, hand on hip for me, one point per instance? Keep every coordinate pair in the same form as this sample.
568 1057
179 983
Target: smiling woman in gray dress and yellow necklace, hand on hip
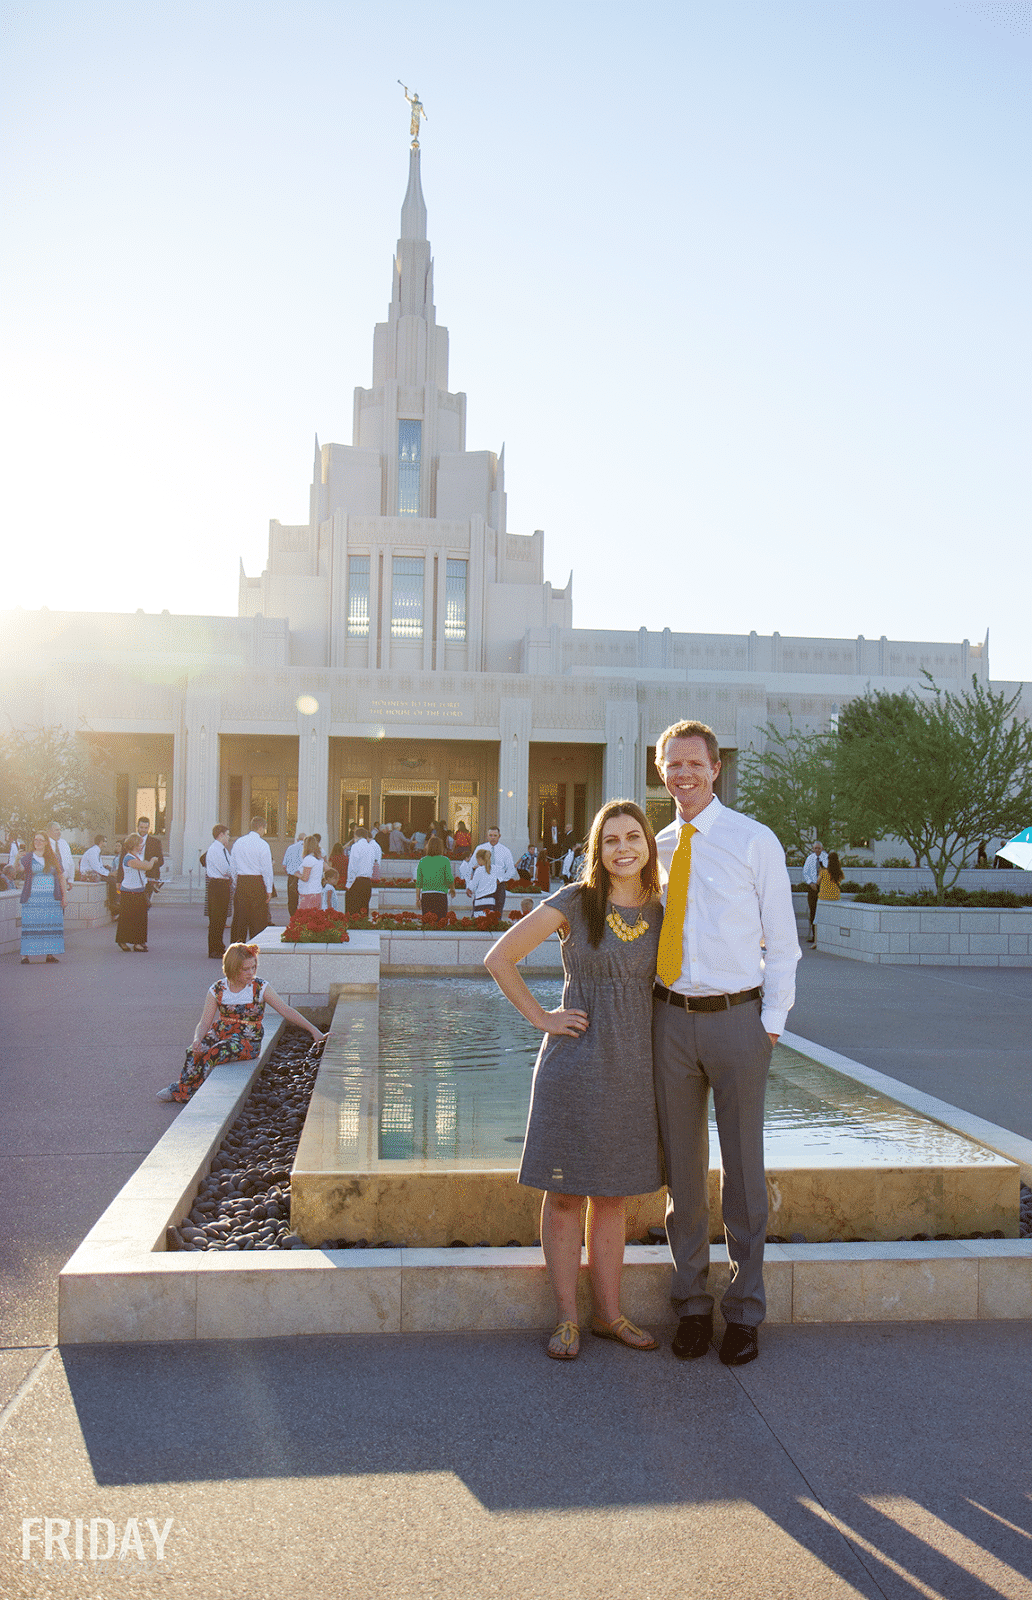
593 1127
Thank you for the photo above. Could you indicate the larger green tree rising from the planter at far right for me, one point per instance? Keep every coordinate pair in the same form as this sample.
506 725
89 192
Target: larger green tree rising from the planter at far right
938 770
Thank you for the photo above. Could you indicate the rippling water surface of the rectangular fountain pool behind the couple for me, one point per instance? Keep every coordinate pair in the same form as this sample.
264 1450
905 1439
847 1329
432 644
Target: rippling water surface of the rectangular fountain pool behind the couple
457 1062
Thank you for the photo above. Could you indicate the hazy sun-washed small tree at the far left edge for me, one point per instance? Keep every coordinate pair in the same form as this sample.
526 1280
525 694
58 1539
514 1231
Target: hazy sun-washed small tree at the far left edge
46 775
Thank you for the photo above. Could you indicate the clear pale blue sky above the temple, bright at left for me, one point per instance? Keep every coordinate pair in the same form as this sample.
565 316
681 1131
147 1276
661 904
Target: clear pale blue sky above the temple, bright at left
742 286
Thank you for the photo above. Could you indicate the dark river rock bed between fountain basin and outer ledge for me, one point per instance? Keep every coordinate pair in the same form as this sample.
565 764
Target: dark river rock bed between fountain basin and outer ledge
244 1204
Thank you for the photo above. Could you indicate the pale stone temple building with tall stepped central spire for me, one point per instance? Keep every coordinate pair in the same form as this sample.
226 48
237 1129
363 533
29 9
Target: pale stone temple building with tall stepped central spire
406 658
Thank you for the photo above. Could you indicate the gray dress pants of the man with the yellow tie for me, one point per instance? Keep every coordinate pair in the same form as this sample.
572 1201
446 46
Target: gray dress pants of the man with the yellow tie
730 1054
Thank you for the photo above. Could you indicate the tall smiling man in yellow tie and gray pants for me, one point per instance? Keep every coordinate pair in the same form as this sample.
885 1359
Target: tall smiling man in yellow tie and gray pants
726 986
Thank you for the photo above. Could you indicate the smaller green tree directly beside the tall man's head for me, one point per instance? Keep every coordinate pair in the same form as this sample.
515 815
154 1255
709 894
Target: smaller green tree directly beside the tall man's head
791 786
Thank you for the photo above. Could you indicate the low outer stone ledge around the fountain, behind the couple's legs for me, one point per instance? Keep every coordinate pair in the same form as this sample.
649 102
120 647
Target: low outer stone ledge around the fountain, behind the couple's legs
122 1287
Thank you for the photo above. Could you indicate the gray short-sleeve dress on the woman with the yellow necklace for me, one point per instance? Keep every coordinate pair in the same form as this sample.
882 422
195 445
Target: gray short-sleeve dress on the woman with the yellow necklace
593 1113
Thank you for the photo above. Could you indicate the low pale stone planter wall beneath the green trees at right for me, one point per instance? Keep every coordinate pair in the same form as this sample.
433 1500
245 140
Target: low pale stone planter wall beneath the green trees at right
926 935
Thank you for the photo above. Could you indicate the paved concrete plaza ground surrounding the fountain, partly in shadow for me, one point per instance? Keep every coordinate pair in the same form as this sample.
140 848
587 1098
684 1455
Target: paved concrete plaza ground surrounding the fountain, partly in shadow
878 1460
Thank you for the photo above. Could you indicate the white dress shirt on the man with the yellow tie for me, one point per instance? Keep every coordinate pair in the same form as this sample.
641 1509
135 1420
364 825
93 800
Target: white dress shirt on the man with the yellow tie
740 924
